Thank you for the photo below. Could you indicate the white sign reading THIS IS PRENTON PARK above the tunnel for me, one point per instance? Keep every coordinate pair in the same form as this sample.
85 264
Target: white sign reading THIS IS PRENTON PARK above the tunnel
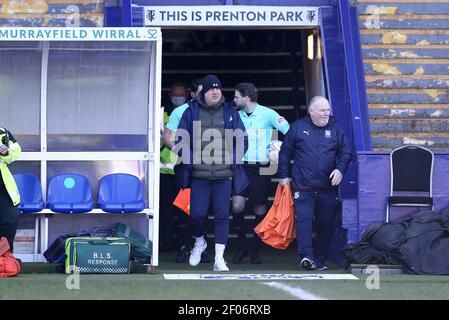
235 16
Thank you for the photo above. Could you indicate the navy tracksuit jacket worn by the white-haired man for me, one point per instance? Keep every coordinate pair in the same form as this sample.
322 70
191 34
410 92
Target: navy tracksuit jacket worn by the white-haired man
316 152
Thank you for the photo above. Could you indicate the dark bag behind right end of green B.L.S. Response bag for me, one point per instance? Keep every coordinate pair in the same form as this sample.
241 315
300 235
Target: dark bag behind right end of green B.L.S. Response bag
141 247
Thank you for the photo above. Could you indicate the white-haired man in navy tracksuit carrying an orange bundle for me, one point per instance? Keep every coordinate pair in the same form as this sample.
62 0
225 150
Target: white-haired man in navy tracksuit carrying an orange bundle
321 155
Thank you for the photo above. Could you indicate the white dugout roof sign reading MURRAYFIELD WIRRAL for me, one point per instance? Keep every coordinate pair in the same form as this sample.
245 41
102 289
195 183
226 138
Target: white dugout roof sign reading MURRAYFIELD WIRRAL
80 34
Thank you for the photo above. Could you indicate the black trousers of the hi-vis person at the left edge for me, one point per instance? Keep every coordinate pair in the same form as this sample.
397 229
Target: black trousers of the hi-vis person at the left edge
9 219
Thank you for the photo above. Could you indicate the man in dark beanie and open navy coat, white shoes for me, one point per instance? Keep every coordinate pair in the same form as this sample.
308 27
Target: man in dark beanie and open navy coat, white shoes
211 141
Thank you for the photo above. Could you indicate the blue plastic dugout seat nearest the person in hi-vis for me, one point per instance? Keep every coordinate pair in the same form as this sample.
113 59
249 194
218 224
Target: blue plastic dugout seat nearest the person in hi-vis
31 199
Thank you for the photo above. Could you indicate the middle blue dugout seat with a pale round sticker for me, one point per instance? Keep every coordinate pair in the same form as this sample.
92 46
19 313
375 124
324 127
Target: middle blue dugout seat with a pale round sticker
69 193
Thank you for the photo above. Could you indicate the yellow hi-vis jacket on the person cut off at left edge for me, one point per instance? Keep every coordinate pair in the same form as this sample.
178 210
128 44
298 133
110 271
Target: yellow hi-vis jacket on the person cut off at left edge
8 179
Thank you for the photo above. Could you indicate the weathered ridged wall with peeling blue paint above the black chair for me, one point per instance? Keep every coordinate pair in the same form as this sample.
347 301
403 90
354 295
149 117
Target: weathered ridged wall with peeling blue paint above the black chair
406 59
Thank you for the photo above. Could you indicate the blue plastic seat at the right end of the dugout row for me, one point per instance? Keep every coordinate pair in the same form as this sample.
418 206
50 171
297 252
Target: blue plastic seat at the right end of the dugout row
120 193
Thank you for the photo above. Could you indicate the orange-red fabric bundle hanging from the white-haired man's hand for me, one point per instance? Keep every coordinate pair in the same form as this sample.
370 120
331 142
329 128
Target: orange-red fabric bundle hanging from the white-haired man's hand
277 229
